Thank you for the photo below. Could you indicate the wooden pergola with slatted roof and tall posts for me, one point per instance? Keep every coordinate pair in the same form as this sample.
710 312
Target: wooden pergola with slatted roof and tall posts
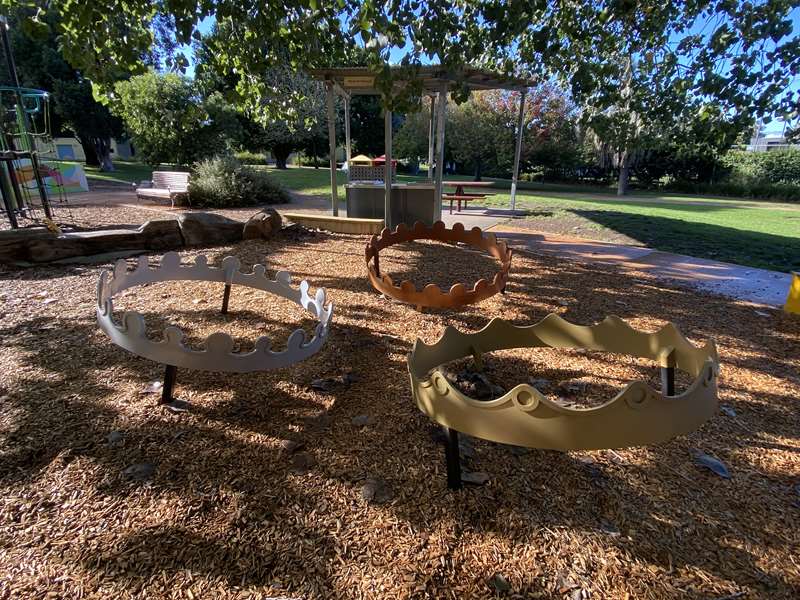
436 82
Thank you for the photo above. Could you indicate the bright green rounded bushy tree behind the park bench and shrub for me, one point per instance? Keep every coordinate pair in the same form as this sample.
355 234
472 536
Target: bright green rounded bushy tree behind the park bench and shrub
170 122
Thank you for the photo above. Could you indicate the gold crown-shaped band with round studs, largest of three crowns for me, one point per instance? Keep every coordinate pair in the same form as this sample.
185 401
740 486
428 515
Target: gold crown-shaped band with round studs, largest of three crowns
638 415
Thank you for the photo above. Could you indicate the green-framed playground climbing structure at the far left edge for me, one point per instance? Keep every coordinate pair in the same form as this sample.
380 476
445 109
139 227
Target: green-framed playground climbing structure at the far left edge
25 136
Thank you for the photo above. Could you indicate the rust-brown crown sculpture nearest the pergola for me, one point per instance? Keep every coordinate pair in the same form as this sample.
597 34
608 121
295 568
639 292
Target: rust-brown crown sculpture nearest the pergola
431 295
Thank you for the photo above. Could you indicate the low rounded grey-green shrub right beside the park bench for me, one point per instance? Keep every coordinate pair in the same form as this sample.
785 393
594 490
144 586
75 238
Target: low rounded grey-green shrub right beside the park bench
223 182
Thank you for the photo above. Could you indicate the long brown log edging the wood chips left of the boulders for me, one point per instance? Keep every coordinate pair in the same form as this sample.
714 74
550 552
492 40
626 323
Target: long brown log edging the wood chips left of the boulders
27 246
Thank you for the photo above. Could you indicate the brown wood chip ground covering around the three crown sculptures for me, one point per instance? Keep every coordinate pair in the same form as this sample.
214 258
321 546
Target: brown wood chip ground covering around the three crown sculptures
105 495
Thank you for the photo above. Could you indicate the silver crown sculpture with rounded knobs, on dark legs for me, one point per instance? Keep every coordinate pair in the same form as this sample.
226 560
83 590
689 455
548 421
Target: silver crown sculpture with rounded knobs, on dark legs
218 353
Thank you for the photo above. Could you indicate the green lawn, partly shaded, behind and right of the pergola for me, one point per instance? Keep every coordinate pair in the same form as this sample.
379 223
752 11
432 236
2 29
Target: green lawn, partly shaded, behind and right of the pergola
743 231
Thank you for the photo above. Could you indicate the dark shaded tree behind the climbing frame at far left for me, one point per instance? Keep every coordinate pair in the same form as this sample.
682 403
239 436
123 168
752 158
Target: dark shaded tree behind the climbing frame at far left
41 65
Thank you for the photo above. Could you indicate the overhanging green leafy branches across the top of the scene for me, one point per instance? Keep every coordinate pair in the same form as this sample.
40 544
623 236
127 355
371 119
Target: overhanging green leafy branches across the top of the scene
646 62
